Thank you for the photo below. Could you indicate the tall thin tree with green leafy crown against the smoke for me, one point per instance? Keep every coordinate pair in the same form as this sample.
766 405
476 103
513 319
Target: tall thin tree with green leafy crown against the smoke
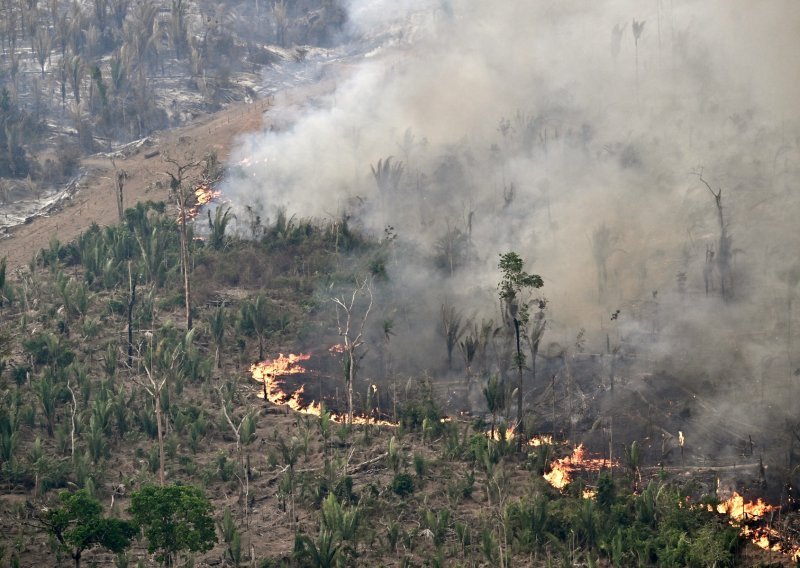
512 287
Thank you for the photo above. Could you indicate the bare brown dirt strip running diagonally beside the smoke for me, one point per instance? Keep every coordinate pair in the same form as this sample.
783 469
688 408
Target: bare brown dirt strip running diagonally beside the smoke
95 202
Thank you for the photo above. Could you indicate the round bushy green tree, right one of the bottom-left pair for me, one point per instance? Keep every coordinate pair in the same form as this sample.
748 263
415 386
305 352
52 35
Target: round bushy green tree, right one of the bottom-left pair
173 519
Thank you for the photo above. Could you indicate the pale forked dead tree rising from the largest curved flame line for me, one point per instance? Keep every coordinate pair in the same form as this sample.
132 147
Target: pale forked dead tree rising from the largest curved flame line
351 329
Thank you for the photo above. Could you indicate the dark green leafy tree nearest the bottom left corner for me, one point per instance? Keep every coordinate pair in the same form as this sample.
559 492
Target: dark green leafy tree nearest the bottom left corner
78 525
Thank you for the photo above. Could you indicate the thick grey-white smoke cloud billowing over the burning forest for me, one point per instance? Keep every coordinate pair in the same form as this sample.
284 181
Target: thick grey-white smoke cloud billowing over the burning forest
545 128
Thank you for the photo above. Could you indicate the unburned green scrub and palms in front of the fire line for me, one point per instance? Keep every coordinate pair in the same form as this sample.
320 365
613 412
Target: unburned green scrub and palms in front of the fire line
112 415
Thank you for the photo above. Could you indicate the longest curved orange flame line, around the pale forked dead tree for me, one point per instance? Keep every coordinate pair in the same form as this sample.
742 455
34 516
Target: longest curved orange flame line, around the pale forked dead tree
270 372
